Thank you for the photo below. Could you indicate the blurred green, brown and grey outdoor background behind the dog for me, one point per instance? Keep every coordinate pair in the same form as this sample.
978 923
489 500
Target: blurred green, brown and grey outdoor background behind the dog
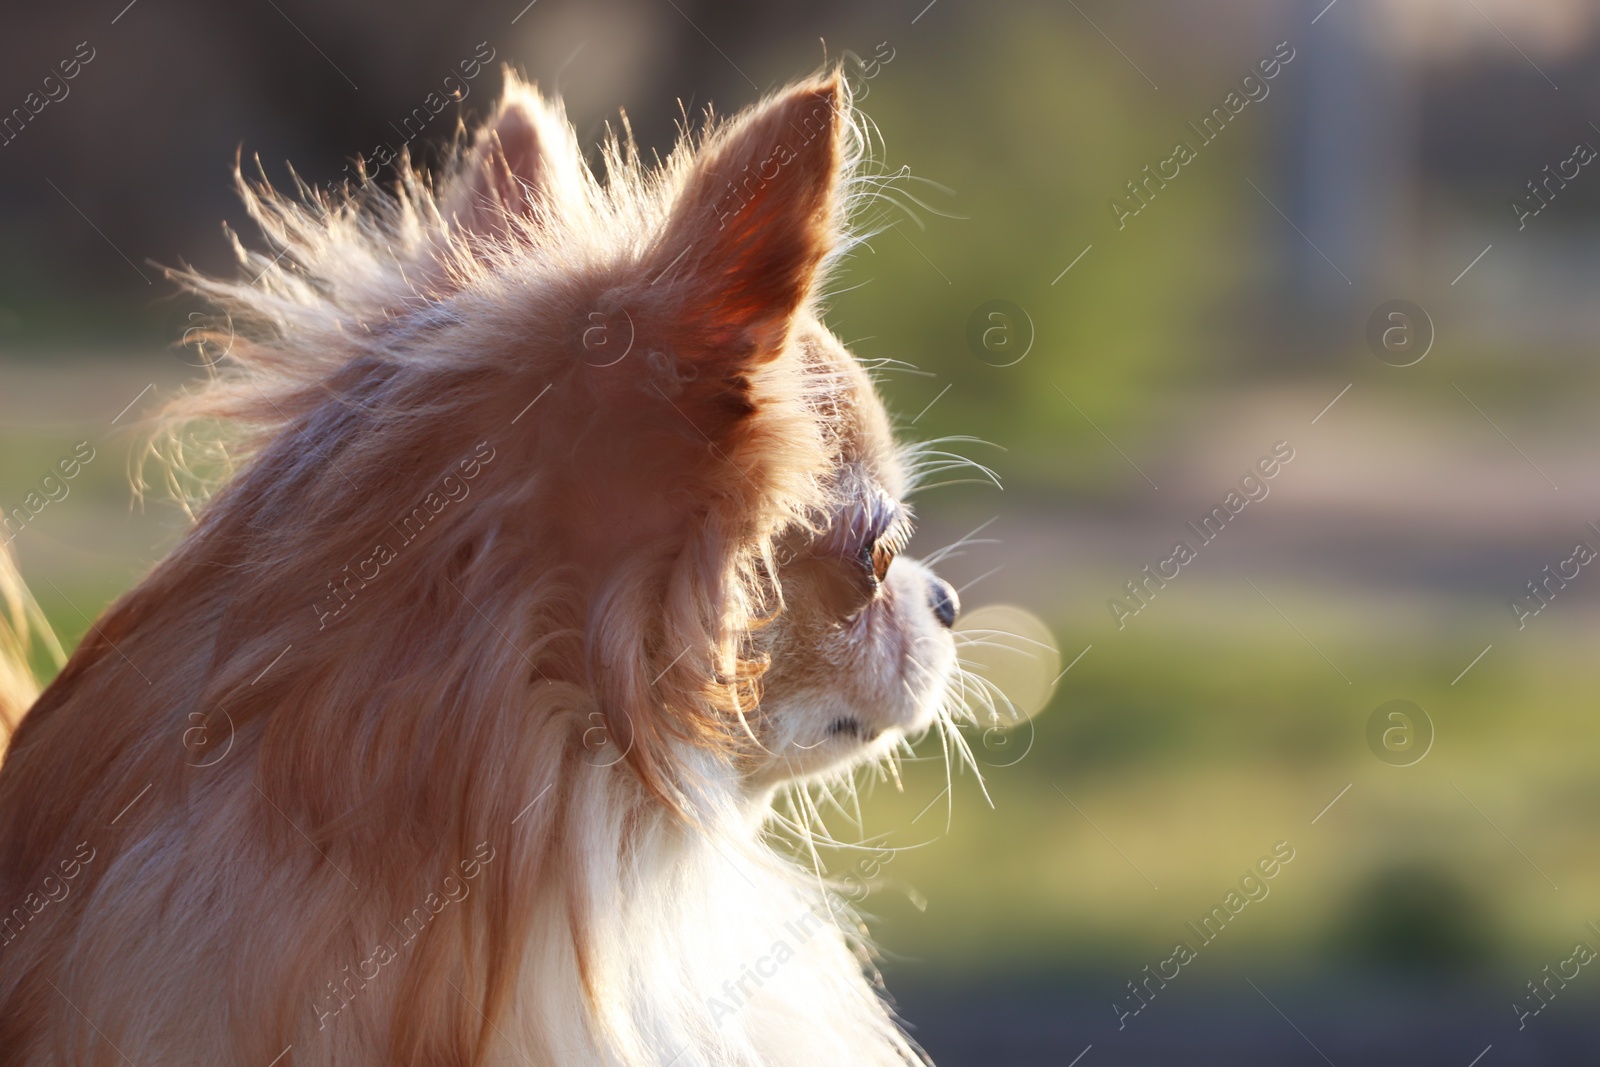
1130 327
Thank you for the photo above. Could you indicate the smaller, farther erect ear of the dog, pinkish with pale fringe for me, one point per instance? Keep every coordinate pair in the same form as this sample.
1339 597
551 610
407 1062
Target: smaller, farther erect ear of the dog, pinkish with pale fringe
524 161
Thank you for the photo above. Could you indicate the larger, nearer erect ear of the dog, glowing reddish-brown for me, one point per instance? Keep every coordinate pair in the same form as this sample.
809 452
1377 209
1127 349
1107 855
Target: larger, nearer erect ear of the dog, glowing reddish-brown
756 220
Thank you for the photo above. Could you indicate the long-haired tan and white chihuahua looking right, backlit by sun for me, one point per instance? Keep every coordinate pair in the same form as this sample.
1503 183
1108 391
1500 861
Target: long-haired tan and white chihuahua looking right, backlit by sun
559 535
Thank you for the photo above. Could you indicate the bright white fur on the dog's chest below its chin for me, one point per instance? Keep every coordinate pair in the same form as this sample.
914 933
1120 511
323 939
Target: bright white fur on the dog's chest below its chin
676 975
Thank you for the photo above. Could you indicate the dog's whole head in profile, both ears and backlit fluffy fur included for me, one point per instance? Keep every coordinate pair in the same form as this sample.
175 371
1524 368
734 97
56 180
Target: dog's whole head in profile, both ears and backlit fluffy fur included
695 519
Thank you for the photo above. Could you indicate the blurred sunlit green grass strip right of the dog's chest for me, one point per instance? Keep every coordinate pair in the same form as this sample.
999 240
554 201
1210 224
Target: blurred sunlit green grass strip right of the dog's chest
1194 751
